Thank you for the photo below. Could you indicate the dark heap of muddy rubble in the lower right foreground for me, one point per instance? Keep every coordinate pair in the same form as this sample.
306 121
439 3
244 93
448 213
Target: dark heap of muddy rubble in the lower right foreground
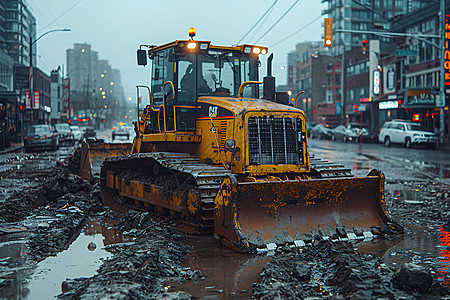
336 270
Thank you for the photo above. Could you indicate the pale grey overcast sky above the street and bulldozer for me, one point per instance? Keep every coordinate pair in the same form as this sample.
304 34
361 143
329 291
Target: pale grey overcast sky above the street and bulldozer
116 28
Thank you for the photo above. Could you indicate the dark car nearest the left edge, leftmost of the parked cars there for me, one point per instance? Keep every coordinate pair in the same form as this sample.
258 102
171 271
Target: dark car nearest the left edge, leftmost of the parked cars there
41 137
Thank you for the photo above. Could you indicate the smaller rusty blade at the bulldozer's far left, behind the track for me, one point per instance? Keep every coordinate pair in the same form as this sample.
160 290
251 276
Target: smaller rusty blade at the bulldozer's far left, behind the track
94 152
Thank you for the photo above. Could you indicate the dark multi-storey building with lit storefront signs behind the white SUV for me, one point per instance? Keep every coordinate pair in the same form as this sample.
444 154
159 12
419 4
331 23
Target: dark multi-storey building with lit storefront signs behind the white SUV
411 75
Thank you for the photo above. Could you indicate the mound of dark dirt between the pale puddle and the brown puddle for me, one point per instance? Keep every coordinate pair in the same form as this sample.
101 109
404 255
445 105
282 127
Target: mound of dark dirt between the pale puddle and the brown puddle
138 268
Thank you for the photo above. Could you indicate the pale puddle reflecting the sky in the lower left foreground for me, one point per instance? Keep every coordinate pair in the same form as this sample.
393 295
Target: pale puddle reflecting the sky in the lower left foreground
44 280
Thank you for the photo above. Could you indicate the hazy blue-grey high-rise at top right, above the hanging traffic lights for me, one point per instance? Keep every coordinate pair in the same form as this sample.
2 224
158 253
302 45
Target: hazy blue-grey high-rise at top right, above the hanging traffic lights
365 15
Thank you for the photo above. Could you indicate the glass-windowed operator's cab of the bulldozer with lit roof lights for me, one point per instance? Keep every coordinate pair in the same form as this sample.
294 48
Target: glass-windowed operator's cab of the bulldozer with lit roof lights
183 71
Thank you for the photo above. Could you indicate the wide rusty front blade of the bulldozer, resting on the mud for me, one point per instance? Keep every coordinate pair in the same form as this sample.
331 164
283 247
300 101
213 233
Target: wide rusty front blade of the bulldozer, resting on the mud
263 215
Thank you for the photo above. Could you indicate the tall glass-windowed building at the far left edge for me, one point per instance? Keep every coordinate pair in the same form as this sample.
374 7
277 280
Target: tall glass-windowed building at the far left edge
17 31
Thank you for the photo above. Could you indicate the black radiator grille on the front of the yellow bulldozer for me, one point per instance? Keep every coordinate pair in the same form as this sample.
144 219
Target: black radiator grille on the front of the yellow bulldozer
275 140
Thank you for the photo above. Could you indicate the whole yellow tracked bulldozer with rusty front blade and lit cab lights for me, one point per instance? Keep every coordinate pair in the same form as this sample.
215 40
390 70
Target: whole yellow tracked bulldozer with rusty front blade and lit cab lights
216 157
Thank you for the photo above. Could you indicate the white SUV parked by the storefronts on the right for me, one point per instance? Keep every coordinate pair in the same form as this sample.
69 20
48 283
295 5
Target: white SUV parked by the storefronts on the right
407 133
